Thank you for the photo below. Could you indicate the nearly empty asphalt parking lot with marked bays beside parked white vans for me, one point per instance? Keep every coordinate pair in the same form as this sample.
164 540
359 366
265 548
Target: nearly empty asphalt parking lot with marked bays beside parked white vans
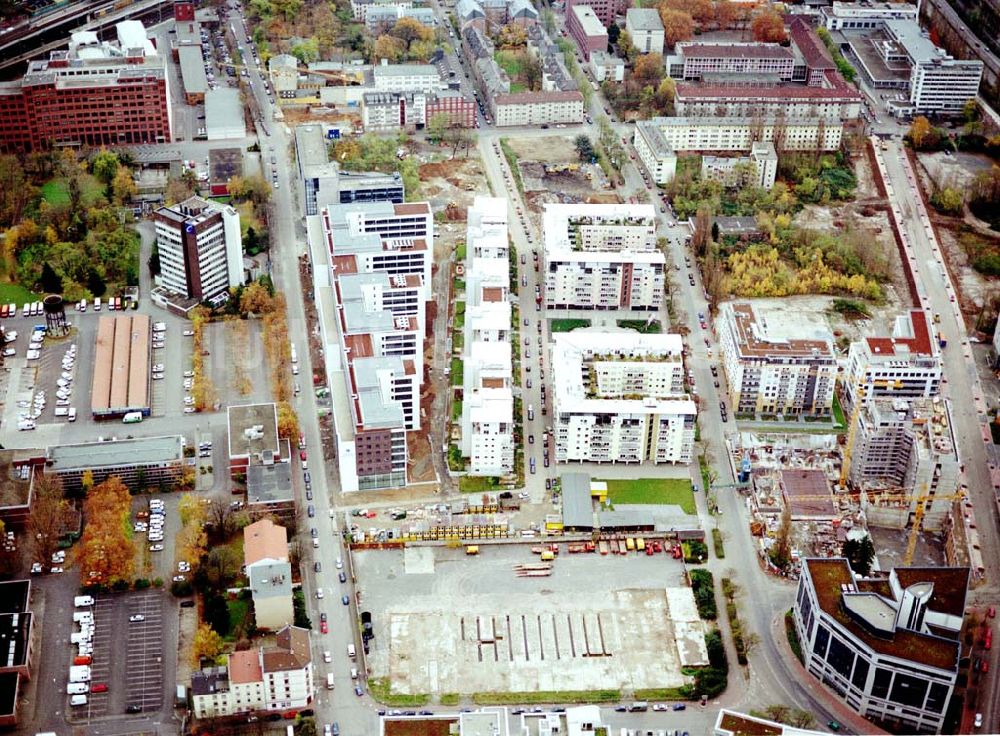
128 655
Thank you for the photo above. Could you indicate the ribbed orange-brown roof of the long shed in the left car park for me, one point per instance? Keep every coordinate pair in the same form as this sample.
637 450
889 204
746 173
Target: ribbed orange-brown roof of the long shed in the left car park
121 365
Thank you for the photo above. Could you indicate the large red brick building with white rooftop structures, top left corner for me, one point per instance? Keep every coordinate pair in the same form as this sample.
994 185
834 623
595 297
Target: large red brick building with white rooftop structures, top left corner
93 98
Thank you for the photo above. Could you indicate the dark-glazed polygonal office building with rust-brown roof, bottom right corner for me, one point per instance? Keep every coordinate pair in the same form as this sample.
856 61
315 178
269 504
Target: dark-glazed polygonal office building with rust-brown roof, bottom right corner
887 645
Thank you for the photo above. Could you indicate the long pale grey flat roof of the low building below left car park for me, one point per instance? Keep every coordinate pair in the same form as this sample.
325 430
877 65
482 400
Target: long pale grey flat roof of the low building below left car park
116 453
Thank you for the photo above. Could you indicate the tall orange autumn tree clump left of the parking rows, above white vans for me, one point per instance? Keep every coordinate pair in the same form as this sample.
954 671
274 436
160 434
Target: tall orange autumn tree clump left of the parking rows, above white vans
107 553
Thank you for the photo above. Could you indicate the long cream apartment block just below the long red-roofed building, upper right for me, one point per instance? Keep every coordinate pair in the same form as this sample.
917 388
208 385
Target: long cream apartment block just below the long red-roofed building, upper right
739 134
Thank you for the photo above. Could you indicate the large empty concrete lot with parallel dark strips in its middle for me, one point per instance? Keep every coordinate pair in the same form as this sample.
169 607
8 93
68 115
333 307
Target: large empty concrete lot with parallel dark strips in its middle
445 622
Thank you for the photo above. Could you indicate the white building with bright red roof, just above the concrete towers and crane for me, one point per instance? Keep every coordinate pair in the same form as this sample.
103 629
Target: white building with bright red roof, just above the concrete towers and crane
907 364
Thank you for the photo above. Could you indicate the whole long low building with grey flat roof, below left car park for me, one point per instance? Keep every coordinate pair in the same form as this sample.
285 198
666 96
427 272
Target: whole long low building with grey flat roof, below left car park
140 463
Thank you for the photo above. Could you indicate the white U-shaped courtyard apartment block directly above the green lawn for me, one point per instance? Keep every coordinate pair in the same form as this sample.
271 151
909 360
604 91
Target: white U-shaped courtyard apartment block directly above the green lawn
619 398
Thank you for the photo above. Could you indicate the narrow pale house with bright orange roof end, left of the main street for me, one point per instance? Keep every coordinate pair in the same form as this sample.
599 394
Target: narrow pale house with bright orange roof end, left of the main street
265 560
